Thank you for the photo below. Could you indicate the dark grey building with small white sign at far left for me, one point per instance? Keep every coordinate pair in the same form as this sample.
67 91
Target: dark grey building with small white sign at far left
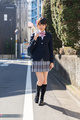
7 28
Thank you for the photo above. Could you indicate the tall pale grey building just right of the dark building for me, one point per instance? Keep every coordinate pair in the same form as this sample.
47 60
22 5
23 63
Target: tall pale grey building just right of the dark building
22 19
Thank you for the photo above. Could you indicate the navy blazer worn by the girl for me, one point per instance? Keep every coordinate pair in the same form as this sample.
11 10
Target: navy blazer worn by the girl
42 48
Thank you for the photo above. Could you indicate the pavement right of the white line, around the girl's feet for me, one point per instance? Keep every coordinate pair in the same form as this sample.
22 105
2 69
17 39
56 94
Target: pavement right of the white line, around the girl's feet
59 103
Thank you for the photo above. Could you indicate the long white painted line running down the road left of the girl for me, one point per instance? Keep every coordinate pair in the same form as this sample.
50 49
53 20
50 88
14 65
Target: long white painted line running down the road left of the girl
28 106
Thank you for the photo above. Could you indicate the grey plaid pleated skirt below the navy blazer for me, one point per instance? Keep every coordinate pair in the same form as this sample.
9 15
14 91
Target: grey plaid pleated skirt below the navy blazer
40 66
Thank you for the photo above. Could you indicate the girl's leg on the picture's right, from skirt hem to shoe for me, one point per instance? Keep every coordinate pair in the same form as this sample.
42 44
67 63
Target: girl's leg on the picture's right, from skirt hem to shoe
43 88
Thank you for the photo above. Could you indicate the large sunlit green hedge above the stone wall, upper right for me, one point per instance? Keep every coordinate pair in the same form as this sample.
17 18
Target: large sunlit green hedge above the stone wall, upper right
65 16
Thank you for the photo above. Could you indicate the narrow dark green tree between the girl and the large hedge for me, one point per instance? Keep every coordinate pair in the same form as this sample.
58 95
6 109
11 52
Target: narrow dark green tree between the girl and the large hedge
46 12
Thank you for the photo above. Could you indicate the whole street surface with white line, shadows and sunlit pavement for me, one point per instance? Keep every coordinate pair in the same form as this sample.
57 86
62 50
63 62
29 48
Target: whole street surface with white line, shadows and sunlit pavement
17 92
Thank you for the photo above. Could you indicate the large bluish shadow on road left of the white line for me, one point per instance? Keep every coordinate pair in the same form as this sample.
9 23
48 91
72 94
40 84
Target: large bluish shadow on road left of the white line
12 80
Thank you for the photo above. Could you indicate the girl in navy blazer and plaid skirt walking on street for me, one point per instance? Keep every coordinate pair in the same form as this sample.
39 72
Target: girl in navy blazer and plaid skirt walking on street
41 47
